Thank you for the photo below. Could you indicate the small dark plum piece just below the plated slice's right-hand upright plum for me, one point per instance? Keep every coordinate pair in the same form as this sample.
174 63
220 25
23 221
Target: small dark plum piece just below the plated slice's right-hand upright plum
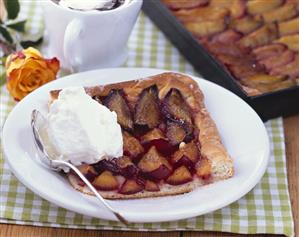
175 133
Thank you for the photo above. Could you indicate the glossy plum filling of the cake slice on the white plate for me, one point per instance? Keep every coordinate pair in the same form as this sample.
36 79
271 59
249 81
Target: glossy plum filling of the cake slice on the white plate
159 143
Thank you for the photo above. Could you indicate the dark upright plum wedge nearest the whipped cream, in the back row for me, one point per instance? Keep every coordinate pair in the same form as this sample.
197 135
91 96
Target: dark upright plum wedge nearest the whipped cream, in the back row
116 102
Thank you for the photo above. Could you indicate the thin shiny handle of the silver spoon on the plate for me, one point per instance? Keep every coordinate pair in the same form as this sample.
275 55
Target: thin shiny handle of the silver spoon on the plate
90 186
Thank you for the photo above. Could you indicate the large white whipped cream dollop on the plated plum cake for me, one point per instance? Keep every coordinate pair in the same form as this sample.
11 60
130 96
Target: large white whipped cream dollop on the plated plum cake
81 130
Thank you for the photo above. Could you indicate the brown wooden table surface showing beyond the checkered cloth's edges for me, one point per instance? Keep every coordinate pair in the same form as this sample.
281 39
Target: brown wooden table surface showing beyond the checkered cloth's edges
291 125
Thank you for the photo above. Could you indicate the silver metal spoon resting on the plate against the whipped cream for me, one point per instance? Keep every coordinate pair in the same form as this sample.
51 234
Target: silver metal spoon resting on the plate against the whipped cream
37 120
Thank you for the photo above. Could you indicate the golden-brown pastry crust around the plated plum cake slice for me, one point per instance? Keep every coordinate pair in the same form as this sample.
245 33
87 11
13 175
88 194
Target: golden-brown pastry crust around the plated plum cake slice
211 145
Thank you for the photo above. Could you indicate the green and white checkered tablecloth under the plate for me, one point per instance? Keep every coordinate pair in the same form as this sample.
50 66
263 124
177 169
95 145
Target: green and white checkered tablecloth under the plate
266 209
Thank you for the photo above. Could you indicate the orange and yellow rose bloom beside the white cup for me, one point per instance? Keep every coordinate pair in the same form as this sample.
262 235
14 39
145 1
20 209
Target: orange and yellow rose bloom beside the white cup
27 70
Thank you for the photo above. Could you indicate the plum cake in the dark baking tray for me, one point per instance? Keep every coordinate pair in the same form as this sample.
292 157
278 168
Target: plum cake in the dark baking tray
257 41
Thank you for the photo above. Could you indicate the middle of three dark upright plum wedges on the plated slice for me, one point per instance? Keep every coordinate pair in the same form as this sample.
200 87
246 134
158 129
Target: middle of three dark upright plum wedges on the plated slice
147 112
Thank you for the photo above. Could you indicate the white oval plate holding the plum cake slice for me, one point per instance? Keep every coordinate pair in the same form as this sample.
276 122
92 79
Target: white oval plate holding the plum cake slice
242 132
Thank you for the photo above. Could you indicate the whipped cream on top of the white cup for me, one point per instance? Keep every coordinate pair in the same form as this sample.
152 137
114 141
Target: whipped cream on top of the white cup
86 5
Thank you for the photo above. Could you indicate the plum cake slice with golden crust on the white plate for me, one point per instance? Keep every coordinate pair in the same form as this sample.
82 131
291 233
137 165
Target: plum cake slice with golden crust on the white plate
170 143
